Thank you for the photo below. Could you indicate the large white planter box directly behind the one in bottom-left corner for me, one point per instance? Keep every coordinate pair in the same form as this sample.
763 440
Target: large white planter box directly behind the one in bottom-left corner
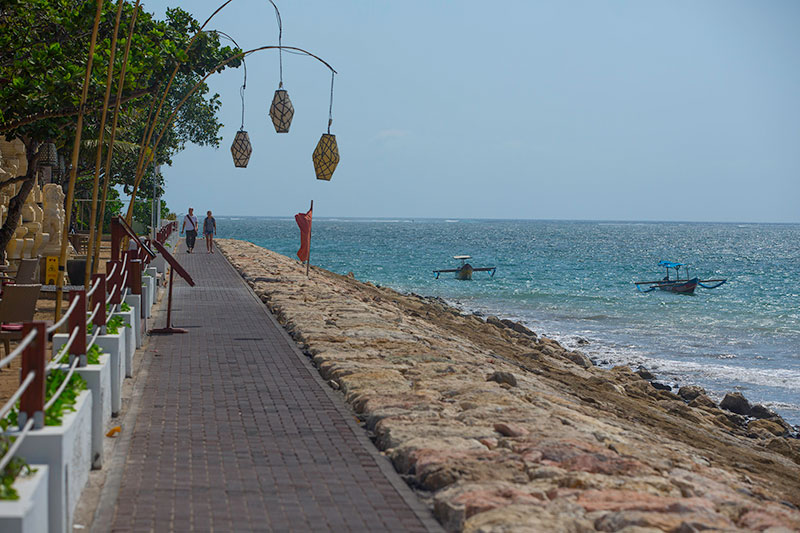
67 451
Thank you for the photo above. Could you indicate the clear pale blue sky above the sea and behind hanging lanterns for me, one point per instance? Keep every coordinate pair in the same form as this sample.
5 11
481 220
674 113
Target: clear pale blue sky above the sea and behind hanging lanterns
578 110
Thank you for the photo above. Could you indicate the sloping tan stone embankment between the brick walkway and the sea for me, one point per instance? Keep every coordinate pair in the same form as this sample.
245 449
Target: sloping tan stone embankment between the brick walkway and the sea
503 430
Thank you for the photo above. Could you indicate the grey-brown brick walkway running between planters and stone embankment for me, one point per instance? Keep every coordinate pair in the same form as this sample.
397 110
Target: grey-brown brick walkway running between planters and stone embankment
236 432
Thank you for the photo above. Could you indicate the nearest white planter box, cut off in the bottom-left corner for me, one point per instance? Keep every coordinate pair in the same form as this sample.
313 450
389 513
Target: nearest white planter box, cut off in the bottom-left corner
28 514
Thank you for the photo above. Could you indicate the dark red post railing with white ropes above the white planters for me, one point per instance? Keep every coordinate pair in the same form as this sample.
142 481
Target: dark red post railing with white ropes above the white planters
123 275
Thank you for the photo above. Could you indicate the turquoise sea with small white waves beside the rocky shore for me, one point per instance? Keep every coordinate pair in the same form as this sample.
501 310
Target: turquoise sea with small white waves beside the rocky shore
574 281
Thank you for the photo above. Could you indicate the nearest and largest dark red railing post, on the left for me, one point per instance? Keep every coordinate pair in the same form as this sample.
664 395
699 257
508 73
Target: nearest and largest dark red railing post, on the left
31 404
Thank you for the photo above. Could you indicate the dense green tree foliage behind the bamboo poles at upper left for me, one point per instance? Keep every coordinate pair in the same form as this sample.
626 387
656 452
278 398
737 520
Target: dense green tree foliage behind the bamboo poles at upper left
43 53
